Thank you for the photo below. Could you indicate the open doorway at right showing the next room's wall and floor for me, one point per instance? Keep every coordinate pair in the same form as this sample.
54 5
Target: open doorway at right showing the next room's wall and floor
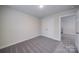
68 32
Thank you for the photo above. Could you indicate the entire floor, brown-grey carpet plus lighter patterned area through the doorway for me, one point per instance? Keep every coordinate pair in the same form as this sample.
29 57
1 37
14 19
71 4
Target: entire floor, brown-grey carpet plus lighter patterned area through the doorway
43 44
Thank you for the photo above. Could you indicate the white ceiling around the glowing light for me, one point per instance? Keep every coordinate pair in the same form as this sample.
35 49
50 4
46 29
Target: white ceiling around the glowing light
34 10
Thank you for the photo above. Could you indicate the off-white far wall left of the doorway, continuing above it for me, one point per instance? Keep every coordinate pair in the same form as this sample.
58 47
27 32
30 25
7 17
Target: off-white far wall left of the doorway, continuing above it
51 25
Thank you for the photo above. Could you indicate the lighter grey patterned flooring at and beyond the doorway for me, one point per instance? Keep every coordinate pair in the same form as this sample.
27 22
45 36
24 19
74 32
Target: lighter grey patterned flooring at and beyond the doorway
67 44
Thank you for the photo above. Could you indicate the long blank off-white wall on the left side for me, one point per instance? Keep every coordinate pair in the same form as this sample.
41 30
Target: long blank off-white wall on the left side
16 27
